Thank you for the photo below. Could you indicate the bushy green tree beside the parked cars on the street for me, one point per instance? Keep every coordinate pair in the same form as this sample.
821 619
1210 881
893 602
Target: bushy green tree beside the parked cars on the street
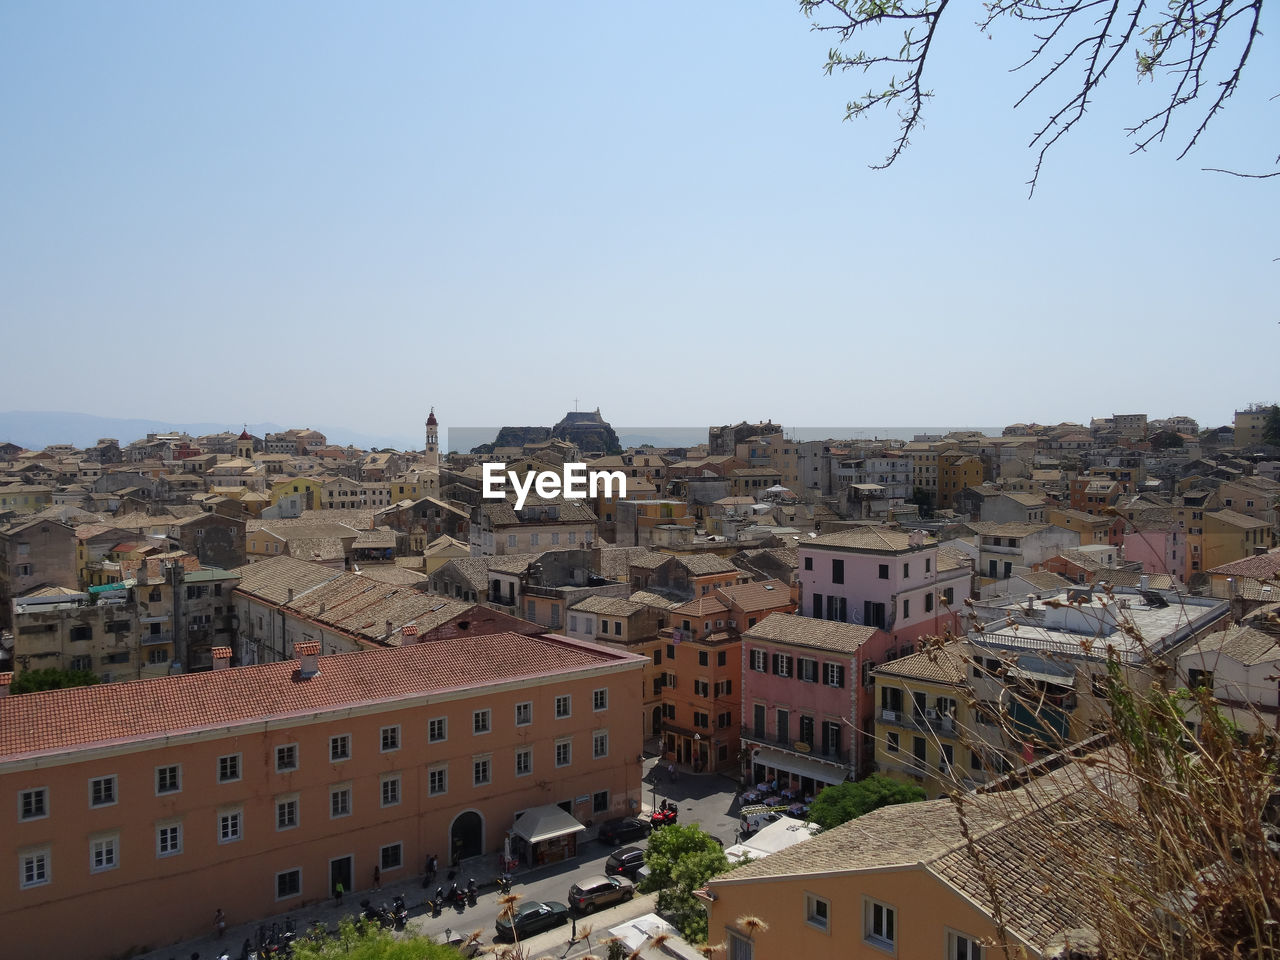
682 860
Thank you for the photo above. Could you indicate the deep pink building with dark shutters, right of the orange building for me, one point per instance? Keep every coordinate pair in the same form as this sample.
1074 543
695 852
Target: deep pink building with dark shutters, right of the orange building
808 706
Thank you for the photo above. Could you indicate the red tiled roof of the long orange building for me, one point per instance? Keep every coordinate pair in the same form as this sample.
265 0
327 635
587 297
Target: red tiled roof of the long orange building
57 721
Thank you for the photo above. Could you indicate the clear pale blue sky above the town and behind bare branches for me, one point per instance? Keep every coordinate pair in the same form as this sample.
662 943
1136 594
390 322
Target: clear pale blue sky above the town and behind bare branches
341 214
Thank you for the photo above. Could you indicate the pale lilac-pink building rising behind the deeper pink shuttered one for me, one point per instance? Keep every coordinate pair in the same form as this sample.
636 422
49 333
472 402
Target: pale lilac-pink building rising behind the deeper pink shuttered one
893 580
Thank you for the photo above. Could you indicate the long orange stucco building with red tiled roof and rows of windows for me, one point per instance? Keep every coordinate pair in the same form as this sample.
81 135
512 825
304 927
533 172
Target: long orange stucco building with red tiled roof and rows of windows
140 808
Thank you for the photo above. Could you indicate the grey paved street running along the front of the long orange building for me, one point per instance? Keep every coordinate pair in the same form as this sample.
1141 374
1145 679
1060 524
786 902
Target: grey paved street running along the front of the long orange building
706 799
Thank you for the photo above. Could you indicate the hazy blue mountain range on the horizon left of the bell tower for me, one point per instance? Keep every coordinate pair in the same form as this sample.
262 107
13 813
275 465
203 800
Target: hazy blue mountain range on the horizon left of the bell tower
38 429
